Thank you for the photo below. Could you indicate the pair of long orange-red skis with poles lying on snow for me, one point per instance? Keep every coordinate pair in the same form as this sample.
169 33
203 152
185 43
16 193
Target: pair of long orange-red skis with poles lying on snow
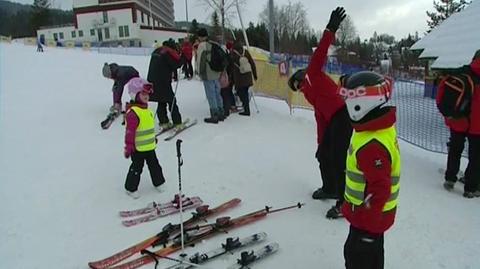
170 236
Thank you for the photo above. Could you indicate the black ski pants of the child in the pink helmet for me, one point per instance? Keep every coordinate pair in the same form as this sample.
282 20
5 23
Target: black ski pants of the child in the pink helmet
136 168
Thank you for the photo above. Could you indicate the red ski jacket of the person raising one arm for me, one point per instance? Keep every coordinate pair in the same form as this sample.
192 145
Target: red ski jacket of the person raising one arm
319 89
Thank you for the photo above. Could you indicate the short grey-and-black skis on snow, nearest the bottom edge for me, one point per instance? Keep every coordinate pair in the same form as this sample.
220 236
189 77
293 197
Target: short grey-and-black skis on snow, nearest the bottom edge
231 244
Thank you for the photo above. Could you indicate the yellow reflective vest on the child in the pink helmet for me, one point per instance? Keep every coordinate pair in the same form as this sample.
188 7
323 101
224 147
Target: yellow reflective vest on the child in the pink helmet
145 134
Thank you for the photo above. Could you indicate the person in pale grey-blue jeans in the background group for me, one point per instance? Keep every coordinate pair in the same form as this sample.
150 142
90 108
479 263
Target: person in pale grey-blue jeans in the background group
209 77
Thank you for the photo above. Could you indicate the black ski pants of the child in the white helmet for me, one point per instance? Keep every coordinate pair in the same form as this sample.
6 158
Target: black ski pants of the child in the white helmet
363 250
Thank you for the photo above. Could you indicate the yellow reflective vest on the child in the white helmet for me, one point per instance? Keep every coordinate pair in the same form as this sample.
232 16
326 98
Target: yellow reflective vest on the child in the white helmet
355 181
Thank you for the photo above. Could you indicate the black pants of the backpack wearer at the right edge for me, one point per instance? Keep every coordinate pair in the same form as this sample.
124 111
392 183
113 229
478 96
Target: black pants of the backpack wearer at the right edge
455 150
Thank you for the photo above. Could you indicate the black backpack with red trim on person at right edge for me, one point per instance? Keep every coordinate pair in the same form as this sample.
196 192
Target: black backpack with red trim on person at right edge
457 96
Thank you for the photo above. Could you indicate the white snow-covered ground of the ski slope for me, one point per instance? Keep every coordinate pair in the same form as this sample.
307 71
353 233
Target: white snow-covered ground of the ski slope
62 176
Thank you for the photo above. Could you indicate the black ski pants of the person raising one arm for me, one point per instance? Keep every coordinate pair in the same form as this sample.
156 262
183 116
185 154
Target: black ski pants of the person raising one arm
332 154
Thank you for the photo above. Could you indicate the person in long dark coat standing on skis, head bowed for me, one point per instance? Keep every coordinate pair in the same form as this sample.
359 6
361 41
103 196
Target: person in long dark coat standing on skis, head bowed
163 64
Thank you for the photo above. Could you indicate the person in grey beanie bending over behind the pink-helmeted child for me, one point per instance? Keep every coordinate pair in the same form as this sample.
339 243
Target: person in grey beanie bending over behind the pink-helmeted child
120 74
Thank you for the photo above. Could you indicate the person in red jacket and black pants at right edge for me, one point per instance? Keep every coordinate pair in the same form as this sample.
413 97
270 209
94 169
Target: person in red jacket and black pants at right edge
460 130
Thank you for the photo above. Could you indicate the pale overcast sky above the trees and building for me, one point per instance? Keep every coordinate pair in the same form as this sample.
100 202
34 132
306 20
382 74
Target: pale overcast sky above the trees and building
395 17
